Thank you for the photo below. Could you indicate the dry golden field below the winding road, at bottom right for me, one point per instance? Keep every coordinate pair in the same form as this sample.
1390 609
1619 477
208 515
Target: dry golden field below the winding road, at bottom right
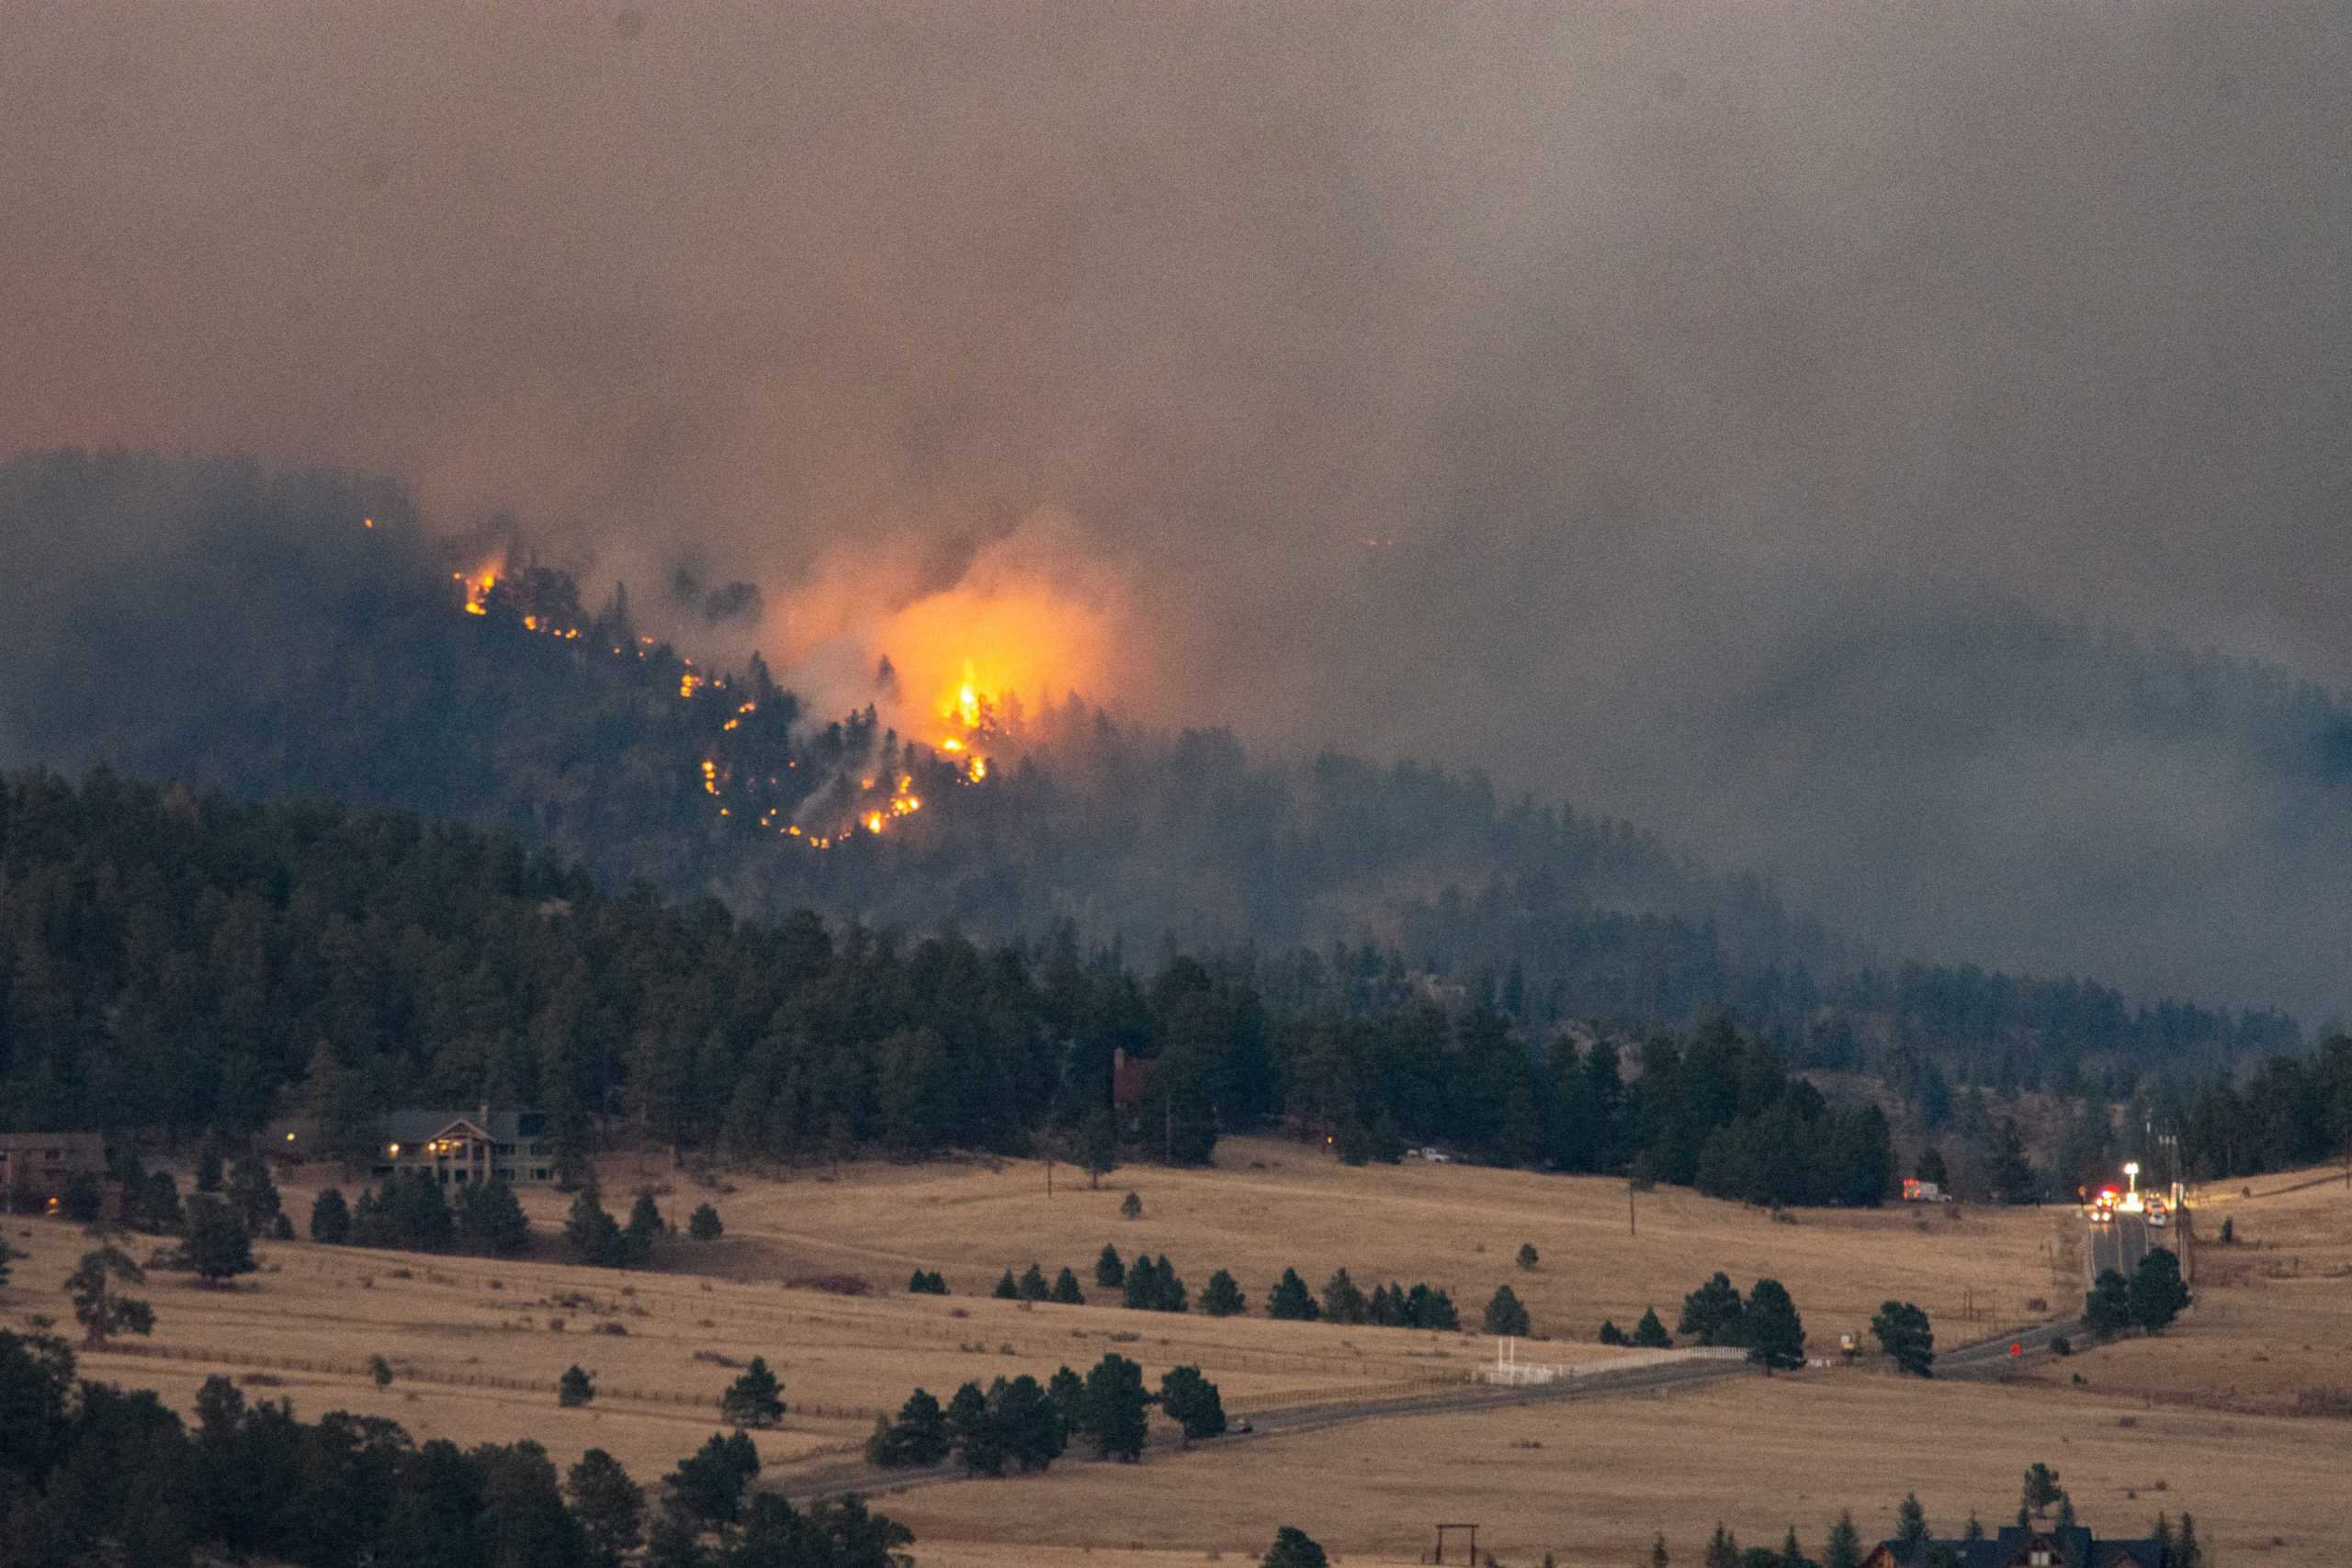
1593 1482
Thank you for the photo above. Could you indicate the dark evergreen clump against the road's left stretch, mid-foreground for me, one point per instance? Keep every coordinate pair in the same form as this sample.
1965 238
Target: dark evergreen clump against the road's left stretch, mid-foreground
1027 1423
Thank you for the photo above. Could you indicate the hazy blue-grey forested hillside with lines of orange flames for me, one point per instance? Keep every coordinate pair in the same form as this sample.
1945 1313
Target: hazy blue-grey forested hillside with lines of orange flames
309 638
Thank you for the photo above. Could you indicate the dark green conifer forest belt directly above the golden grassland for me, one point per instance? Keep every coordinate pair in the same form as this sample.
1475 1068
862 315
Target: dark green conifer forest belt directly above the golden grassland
194 965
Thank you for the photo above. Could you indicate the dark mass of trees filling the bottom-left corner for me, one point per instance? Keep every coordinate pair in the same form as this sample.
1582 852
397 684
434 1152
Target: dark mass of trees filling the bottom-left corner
93 1475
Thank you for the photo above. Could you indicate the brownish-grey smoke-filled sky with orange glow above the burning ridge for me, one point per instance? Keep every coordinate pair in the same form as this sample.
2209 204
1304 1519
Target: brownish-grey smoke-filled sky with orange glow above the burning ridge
1521 384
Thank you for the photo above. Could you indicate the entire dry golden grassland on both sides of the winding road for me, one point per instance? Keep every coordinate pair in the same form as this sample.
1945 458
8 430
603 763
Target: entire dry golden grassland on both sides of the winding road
476 1353
